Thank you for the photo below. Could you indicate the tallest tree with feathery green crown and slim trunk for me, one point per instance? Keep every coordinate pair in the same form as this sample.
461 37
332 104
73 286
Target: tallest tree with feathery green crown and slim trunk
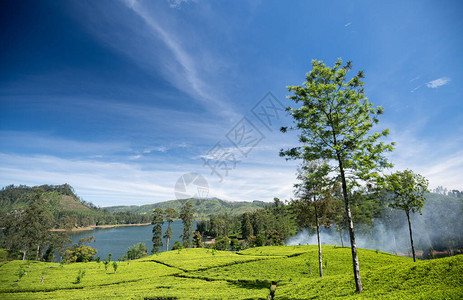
334 119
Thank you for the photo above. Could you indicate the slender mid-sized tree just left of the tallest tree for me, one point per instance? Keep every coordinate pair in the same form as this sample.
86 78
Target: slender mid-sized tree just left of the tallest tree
314 194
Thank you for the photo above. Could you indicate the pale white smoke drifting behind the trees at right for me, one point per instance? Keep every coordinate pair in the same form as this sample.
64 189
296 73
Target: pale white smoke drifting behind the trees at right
440 227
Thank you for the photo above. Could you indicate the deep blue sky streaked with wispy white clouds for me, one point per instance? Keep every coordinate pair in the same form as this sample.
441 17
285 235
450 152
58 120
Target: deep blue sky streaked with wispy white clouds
121 98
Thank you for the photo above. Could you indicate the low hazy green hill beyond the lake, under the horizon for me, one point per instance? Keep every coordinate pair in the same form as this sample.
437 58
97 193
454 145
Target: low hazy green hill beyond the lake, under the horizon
203 207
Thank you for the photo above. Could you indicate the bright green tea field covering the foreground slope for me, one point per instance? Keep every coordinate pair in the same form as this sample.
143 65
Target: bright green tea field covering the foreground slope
207 274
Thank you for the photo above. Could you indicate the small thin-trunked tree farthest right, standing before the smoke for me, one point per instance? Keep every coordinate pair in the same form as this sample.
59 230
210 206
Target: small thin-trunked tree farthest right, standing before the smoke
408 192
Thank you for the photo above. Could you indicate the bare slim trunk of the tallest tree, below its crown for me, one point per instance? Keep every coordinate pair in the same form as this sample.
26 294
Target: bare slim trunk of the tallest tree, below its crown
355 262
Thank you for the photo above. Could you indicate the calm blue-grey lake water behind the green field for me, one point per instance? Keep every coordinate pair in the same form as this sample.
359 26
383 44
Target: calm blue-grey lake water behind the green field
117 240
